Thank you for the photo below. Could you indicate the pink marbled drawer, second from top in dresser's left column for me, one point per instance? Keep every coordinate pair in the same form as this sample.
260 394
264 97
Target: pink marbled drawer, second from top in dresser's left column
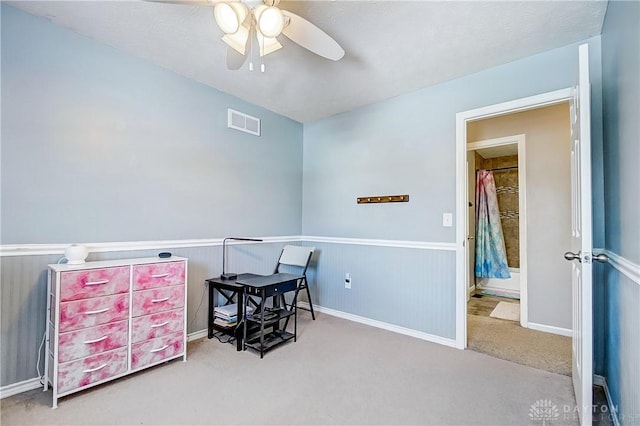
91 312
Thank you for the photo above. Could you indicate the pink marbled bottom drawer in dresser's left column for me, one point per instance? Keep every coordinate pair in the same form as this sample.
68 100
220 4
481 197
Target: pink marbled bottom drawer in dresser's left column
95 368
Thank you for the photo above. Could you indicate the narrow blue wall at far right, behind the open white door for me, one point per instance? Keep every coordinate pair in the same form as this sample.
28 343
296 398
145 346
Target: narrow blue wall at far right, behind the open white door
621 92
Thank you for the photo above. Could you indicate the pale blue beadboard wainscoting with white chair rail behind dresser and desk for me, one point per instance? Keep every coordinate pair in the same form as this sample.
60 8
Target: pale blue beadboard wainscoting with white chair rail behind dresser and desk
414 276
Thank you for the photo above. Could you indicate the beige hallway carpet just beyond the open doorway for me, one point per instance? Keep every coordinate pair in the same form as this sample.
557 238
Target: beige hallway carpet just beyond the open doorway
507 340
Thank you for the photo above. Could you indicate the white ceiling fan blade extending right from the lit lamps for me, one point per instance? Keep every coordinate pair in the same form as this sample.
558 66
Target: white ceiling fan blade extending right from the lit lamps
311 37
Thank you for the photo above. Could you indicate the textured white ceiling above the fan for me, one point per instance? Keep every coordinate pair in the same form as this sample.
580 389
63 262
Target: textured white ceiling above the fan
392 47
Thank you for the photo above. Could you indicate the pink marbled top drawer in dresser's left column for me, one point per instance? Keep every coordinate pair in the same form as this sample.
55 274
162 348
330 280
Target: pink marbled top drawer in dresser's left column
75 285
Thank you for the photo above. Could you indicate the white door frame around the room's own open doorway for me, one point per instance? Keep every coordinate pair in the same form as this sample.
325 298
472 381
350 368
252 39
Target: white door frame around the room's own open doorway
462 118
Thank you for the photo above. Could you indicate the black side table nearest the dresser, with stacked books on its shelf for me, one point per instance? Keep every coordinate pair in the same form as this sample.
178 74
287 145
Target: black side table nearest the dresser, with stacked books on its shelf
232 293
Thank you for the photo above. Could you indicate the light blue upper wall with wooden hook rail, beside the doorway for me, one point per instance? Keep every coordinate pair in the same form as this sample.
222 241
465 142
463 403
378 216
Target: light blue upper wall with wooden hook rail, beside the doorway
406 145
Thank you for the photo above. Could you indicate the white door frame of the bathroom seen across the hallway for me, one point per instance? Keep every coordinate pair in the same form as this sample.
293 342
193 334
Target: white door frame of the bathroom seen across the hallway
520 141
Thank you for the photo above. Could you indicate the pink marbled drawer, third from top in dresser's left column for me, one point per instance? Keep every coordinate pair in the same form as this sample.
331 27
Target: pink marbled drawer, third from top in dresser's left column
90 341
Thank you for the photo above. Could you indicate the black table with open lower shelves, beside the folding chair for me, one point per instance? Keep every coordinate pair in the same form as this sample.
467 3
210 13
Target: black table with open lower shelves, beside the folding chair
264 318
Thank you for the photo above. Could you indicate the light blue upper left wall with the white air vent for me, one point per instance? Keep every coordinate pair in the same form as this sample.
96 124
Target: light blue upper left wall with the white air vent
100 146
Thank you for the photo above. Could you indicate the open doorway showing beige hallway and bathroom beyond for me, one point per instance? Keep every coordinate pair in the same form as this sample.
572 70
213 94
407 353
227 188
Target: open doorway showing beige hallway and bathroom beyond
526 152
